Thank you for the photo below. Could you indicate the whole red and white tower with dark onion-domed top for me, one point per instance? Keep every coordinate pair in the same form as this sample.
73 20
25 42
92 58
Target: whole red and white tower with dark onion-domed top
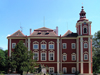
84 44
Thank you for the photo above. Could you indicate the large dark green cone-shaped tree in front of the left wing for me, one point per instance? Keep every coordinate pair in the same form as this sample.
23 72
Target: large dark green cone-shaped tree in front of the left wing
21 59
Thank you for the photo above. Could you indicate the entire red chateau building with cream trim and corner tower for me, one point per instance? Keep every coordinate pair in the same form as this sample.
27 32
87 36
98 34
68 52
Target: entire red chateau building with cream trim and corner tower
67 54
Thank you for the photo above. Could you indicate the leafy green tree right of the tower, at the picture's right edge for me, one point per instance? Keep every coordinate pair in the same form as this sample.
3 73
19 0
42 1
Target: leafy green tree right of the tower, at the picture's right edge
96 52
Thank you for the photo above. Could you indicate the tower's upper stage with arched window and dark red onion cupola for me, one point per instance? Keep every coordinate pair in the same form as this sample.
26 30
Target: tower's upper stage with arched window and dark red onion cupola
83 25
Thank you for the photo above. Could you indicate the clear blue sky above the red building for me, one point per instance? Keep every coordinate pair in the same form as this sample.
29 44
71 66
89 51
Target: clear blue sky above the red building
30 13
